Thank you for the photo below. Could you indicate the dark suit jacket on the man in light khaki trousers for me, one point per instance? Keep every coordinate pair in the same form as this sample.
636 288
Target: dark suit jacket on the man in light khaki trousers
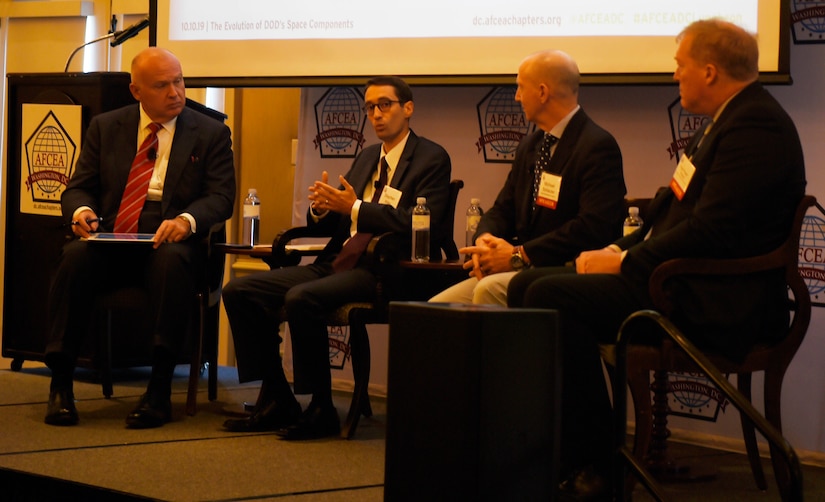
590 208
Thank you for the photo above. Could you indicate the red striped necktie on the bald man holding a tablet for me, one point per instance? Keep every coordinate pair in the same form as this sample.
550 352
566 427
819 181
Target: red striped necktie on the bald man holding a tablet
137 185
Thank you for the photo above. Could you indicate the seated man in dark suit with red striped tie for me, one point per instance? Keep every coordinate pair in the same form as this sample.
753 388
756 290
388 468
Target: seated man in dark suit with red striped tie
191 186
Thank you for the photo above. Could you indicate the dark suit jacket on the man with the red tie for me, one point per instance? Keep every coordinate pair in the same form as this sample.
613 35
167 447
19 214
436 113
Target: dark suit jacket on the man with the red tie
200 177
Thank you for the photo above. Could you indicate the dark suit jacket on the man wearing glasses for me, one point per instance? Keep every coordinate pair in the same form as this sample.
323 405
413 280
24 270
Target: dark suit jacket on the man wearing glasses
423 170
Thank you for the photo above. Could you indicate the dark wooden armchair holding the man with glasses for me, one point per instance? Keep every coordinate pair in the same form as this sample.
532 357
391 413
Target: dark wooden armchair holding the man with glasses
398 279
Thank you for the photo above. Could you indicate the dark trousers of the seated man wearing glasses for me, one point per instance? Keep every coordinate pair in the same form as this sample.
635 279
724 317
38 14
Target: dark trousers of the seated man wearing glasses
254 306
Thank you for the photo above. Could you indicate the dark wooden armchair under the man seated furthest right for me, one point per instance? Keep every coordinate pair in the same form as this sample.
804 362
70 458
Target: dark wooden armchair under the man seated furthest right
772 359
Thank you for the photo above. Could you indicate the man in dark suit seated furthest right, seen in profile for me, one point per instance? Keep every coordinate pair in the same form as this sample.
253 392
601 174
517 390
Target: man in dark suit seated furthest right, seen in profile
733 195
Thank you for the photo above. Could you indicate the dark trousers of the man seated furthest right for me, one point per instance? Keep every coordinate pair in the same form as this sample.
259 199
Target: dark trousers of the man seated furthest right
592 307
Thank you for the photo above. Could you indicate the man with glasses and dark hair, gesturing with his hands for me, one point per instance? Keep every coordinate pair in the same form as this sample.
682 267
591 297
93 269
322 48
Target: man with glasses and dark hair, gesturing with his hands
416 167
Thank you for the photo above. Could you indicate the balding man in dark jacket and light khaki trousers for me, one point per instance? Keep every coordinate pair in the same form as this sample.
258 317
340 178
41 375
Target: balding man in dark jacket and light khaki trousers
576 202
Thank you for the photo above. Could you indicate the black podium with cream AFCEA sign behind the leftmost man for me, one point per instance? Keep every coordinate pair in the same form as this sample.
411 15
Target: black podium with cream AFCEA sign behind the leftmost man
42 149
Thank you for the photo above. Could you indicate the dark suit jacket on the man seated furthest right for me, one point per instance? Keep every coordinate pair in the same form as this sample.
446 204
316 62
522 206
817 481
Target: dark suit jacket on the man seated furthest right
749 178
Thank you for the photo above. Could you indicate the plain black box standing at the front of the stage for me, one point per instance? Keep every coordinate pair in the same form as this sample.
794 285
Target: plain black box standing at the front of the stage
472 403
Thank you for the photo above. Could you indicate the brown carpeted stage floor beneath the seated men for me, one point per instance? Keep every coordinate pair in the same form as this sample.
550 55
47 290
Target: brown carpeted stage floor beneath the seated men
194 459
